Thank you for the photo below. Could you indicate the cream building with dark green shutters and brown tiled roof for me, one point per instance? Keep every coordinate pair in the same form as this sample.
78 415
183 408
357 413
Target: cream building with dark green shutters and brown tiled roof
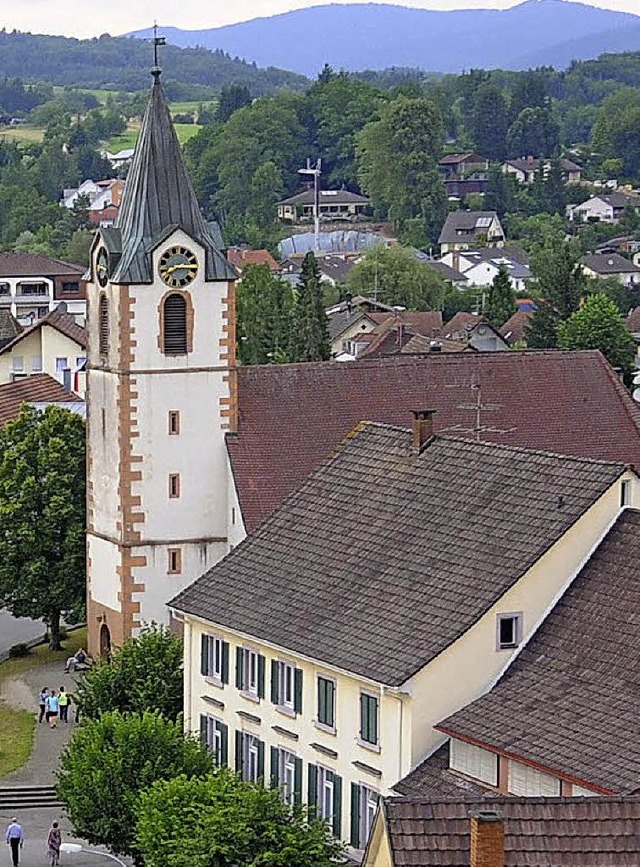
346 655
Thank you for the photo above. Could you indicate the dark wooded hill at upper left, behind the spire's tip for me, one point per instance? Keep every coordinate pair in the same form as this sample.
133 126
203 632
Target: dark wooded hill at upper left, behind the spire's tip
119 63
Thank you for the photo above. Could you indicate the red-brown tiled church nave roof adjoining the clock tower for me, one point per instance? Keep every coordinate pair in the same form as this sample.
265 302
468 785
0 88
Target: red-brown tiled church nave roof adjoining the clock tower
292 416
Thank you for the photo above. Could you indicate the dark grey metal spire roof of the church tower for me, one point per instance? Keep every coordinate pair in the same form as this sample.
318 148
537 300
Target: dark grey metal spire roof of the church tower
159 197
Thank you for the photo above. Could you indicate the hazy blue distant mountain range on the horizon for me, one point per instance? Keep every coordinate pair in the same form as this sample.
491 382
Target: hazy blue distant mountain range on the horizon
376 36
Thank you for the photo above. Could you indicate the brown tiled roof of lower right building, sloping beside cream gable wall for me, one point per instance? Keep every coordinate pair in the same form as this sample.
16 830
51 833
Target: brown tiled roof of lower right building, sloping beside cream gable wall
571 700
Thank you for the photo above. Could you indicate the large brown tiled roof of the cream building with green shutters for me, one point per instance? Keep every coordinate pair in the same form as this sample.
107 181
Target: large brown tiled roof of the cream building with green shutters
384 556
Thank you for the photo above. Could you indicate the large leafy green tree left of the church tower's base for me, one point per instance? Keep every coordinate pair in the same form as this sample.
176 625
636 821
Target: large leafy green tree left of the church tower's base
42 516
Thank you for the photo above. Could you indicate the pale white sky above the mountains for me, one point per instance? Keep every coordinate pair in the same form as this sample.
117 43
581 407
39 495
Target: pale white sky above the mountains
86 18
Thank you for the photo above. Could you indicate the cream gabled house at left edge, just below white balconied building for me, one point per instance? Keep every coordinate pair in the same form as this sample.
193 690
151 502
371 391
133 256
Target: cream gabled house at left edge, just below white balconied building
55 345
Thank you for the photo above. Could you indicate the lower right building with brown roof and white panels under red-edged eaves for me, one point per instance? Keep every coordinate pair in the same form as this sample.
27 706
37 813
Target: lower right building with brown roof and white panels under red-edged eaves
561 719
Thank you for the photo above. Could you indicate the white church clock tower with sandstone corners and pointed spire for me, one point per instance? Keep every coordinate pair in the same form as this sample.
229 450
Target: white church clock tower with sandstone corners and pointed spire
161 392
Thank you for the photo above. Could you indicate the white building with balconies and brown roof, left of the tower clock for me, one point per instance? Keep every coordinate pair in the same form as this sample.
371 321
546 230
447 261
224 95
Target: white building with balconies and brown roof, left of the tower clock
31 285
